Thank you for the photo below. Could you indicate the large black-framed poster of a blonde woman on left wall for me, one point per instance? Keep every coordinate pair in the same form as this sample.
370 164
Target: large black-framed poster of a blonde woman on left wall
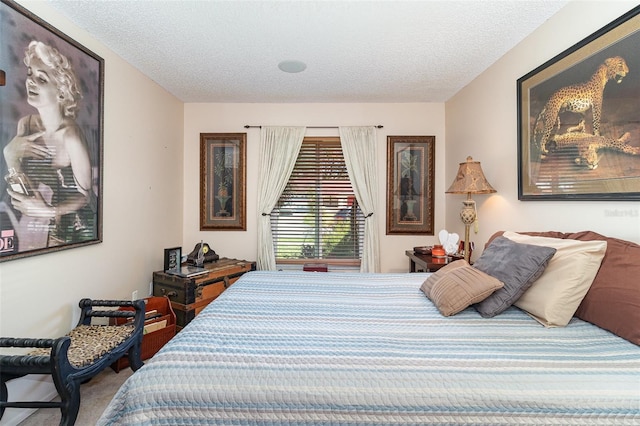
51 127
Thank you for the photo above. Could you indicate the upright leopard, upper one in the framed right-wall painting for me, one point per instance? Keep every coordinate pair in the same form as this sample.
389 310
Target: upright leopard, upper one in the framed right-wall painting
578 98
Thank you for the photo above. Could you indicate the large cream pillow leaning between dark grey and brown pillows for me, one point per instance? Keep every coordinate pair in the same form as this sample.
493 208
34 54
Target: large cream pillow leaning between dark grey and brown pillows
556 295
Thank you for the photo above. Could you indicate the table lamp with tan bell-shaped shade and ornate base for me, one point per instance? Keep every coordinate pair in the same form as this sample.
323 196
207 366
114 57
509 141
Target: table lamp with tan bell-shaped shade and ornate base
469 180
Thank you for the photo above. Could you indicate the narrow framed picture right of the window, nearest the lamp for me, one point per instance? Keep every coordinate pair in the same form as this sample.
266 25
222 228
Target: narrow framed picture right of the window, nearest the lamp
410 178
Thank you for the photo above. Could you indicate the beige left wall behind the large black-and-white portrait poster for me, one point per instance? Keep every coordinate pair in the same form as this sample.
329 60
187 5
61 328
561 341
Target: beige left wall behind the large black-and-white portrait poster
142 200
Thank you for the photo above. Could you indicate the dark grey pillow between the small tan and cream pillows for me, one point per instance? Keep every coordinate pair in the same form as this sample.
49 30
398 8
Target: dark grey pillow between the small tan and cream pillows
517 265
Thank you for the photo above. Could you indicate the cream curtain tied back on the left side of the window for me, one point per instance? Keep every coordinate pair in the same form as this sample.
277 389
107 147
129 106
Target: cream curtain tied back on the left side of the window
279 148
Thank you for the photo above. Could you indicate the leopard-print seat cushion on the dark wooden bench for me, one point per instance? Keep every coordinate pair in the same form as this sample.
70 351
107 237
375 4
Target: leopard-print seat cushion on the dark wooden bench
90 342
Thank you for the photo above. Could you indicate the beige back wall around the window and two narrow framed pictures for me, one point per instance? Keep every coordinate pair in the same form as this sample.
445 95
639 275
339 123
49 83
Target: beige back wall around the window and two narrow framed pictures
397 119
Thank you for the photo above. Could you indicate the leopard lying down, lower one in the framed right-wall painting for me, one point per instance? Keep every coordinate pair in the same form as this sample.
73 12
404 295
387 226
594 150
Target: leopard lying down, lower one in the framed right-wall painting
588 146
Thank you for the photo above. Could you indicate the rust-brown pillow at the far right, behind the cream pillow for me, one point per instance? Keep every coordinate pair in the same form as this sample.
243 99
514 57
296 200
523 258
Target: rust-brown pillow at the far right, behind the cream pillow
613 300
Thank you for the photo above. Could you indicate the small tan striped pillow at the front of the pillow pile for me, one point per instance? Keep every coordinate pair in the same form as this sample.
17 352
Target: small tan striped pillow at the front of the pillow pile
457 286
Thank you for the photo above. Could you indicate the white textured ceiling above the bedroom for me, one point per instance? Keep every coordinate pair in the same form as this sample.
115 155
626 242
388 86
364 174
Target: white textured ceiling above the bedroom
355 51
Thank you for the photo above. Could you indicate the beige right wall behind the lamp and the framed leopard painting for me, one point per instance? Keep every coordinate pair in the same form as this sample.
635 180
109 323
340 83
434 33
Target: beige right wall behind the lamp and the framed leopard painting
481 122
